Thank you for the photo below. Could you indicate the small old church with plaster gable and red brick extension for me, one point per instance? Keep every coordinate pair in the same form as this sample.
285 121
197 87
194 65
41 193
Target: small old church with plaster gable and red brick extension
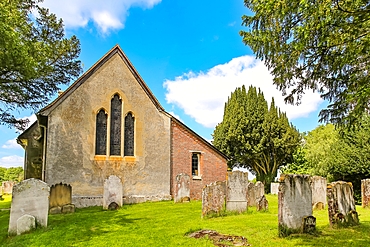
108 122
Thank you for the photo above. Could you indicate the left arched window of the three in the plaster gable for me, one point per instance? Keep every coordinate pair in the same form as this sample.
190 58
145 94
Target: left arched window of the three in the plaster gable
101 133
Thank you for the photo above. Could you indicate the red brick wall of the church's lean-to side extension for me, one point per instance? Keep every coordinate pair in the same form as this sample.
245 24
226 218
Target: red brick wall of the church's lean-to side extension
213 165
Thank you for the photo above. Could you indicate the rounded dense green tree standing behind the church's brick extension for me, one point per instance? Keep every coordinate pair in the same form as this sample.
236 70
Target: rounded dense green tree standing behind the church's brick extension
255 136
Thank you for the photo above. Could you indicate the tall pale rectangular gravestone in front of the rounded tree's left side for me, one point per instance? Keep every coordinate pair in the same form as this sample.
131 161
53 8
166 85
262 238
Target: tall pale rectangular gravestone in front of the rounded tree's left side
236 193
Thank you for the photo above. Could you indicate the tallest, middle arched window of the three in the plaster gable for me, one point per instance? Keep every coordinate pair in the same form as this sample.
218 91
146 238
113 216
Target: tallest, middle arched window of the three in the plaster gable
115 125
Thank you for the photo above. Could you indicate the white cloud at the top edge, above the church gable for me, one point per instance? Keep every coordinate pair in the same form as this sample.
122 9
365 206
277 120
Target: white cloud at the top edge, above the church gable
106 15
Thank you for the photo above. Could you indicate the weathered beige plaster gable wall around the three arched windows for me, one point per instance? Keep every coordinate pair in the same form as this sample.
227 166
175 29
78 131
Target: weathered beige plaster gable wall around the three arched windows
71 155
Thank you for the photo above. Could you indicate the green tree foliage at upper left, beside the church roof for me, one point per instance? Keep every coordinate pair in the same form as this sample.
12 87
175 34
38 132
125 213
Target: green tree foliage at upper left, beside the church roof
35 57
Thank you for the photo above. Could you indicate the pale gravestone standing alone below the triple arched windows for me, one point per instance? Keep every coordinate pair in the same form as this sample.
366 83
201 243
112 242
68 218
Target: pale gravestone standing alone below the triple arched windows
112 197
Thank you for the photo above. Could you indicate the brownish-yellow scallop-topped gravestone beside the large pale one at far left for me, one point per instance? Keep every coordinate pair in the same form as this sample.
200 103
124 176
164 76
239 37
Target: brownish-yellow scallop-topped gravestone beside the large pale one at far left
60 200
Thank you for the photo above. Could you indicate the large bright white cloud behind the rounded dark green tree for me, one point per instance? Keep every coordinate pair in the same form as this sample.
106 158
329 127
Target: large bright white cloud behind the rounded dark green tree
203 95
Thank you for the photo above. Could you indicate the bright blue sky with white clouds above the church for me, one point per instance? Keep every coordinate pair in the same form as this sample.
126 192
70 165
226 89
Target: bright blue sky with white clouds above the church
189 53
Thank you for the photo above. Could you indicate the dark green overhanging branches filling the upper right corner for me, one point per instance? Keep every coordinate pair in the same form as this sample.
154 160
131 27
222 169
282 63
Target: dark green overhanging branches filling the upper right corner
323 46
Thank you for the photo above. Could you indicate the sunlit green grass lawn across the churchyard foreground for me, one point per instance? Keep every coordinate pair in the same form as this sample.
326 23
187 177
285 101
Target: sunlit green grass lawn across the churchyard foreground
167 224
